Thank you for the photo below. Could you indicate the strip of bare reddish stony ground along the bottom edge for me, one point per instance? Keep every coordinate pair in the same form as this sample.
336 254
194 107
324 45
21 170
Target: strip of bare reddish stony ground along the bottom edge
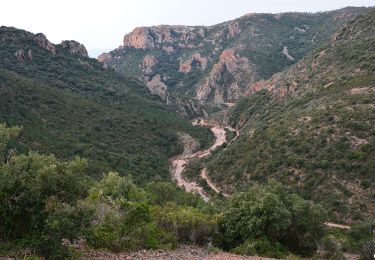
184 252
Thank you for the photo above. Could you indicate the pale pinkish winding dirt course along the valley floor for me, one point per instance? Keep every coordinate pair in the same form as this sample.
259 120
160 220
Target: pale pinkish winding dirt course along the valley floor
178 163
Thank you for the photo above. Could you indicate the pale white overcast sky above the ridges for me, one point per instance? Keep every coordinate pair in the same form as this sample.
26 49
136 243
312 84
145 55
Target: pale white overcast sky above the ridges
102 24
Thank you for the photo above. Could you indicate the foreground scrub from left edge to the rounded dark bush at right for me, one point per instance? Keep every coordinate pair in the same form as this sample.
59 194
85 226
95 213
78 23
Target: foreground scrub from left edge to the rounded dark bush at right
44 200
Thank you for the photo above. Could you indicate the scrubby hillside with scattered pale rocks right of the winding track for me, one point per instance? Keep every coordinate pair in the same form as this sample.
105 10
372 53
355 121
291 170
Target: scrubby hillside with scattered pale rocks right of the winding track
312 127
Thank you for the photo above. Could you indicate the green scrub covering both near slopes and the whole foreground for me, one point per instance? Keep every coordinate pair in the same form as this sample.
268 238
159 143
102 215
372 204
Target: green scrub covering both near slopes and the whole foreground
317 141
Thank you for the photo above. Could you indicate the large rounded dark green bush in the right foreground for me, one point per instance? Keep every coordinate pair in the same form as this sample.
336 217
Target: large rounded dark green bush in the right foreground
269 213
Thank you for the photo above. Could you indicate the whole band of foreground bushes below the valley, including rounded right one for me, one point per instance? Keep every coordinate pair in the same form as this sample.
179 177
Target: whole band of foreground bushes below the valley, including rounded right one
45 201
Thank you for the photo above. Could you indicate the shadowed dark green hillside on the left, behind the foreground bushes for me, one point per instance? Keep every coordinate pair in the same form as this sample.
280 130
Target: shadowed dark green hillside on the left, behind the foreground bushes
69 106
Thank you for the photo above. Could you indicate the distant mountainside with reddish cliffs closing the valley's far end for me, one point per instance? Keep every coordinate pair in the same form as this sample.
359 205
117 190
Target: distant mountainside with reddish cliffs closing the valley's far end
215 64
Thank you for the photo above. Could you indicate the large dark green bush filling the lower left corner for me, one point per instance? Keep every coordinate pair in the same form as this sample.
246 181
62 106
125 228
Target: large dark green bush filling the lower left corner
28 183
